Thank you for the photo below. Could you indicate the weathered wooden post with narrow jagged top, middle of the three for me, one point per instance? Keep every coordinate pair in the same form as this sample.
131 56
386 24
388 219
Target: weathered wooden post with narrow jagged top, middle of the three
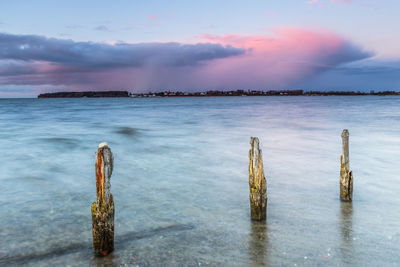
257 182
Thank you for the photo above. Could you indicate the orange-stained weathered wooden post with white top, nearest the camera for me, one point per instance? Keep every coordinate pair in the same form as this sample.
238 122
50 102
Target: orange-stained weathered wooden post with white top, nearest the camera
103 208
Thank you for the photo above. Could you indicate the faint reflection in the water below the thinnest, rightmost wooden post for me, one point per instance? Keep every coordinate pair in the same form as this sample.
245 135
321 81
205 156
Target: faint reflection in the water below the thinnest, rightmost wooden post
346 225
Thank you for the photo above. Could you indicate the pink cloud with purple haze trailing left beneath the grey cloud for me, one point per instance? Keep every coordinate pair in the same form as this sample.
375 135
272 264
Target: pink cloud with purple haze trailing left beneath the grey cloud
282 60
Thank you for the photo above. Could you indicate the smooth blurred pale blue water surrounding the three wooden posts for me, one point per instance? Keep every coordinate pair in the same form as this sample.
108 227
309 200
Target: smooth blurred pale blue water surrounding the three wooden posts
180 180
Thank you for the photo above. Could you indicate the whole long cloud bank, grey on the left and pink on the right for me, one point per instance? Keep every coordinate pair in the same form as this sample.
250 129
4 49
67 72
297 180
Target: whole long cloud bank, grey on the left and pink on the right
283 59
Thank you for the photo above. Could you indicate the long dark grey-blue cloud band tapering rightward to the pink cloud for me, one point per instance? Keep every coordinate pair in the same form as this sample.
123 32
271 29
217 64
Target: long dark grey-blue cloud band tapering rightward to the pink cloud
90 55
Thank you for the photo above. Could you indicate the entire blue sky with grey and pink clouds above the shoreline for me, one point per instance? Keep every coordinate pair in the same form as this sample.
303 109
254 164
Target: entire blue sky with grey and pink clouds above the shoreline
142 46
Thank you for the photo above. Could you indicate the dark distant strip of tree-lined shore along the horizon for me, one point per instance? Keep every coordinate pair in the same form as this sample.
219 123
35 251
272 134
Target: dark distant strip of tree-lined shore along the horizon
212 93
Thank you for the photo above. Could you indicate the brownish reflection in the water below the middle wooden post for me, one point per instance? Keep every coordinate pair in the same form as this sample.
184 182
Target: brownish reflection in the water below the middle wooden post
258 248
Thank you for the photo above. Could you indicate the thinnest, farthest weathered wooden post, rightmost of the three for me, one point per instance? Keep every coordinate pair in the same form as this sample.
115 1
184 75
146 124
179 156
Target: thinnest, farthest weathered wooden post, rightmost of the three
346 176
